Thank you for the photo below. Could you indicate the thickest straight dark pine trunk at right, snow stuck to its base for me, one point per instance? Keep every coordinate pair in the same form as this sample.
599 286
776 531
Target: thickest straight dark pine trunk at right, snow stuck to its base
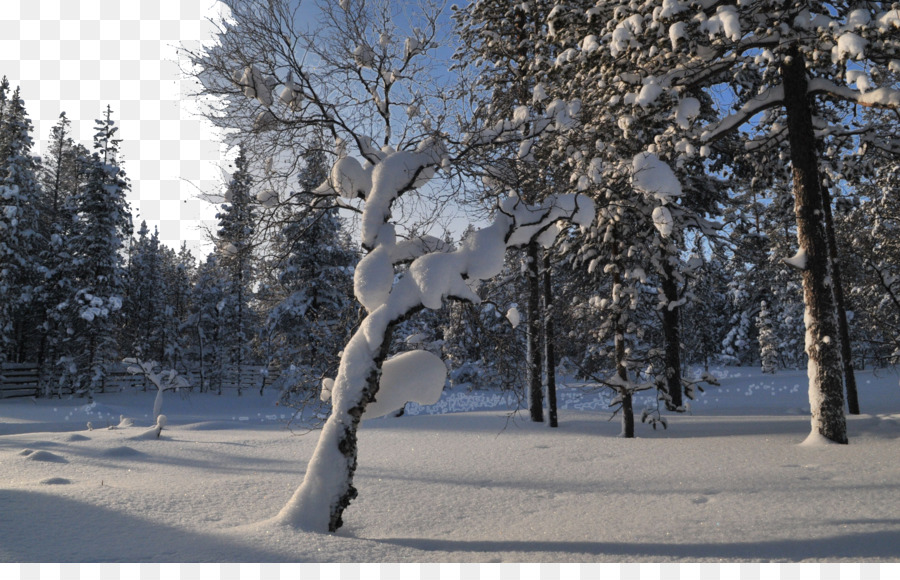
826 396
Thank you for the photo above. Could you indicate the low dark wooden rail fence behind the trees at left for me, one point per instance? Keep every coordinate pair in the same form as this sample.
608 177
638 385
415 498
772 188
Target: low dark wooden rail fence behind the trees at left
24 380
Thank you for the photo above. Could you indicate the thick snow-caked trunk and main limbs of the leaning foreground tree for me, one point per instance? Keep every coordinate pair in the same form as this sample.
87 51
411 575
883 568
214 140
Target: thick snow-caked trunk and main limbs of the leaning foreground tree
362 379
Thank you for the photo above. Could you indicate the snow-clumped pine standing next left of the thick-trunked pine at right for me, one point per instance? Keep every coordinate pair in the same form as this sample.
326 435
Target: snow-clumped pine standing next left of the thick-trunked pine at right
628 132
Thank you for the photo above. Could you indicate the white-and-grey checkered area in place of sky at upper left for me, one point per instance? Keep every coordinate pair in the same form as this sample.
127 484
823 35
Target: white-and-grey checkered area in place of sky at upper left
79 56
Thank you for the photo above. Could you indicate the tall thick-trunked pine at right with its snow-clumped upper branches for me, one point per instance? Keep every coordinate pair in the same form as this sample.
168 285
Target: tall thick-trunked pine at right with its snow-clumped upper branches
776 59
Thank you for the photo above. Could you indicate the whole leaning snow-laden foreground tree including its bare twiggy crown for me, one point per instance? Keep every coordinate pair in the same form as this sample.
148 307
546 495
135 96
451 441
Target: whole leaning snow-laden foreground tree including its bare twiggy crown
365 80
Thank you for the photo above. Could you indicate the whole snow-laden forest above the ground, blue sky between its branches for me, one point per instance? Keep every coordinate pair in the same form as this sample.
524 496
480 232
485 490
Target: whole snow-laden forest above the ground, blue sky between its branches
663 187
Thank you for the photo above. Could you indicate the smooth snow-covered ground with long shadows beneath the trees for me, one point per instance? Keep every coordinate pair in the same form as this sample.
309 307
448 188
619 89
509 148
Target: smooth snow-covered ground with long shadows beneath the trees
729 481
